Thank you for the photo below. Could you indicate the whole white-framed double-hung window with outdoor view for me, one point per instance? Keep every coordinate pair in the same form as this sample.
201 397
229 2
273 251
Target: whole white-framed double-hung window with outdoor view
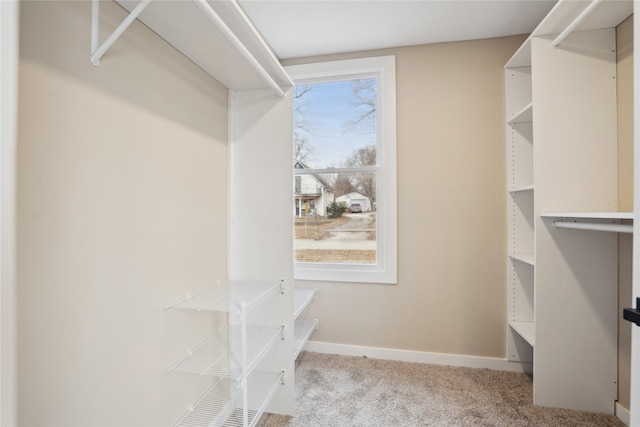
344 170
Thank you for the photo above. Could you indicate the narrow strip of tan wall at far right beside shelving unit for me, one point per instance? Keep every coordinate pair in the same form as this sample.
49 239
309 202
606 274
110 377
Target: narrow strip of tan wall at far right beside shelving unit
624 41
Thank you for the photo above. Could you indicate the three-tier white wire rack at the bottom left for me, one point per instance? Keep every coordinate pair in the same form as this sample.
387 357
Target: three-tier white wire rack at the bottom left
233 355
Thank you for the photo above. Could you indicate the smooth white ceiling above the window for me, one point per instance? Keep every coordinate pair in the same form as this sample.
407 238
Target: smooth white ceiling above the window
299 28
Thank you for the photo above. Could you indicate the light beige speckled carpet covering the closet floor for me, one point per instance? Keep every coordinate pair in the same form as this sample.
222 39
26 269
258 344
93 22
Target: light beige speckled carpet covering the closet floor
337 391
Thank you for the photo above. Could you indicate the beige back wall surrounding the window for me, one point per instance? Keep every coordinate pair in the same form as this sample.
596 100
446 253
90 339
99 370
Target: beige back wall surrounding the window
451 291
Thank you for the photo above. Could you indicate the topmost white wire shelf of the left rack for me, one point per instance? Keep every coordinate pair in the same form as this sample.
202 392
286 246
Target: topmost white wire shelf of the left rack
230 296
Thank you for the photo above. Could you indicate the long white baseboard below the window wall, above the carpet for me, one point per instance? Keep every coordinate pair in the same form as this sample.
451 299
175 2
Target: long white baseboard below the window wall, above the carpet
418 356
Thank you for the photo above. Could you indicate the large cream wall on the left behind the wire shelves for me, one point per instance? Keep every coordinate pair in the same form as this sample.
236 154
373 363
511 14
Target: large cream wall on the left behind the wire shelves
122 208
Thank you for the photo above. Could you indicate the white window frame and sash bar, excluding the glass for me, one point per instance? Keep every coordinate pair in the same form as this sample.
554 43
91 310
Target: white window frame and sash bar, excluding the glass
386 268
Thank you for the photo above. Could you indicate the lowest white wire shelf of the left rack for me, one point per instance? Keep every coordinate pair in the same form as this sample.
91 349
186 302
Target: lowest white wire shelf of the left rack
217 406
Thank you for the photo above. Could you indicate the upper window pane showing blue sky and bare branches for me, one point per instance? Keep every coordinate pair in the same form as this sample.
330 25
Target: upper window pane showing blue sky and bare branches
333 121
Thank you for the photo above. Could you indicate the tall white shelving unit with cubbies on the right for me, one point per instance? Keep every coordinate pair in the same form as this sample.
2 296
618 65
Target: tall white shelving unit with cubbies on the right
561 122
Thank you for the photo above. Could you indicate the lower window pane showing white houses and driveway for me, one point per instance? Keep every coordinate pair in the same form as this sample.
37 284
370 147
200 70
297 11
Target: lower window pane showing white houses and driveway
335 218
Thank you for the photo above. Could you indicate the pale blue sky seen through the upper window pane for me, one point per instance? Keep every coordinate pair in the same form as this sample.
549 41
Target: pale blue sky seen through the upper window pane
327 106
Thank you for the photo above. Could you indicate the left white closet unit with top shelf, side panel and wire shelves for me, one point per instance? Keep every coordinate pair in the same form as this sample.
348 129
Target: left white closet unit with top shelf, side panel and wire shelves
219 38
